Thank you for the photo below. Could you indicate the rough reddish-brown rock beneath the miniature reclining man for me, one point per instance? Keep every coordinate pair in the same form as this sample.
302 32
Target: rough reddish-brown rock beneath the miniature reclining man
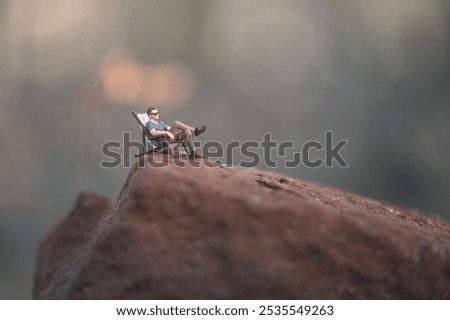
207 232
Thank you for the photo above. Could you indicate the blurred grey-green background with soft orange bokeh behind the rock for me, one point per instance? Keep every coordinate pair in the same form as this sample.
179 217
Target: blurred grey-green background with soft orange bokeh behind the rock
374 72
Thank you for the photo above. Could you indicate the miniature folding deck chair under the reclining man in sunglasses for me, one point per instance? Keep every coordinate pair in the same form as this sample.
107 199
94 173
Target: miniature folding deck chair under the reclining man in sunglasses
149 146
